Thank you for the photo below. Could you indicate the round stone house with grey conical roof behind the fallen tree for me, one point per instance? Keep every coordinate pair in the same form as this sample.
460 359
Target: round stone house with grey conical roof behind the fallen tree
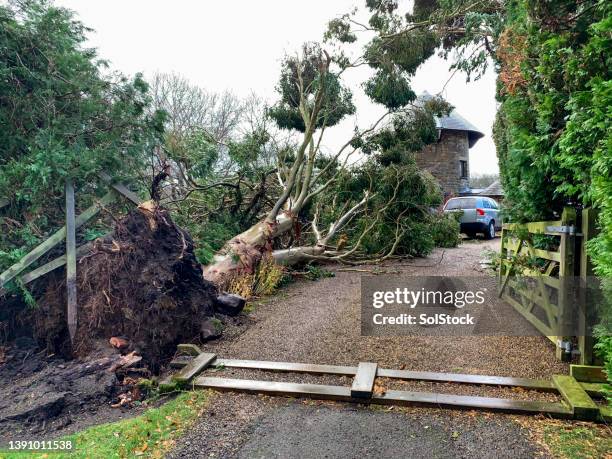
448 159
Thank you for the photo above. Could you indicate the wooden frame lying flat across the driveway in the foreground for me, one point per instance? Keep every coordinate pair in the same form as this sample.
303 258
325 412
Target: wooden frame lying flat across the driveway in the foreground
577 402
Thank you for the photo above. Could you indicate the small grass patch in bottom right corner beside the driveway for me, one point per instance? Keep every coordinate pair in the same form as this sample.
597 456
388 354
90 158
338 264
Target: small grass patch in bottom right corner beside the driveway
583 441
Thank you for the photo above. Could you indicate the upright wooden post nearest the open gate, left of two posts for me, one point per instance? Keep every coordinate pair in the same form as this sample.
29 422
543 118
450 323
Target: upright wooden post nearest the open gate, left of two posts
567 268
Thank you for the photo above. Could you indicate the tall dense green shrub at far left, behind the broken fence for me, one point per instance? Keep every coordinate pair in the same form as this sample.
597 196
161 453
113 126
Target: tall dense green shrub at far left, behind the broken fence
63 115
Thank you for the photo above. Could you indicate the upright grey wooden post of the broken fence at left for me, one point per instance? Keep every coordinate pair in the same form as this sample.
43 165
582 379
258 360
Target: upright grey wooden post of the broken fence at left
71 275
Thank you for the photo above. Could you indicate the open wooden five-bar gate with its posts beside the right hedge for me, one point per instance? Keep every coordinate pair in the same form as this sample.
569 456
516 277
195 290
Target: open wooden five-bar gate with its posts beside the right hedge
541 283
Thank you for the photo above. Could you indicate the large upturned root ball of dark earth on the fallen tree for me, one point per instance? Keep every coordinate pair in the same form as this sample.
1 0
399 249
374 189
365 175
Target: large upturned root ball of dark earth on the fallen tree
142 283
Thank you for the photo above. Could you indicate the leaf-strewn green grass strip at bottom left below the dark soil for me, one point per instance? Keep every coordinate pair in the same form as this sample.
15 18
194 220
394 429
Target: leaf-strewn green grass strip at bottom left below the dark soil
150 435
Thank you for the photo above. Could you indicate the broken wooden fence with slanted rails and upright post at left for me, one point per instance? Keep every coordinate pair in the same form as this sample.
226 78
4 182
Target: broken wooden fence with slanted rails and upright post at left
65 234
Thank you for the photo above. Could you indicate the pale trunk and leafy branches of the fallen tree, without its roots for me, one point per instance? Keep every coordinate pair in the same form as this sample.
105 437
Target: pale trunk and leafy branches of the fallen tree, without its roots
312 101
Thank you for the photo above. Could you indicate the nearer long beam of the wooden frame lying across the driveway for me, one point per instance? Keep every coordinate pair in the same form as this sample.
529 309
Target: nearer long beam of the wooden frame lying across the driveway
393 397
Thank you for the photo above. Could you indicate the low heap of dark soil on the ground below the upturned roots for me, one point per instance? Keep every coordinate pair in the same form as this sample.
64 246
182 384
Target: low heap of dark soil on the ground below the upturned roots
46 397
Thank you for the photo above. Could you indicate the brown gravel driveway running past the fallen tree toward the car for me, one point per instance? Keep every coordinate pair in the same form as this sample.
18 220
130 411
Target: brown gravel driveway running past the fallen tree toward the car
319 322
